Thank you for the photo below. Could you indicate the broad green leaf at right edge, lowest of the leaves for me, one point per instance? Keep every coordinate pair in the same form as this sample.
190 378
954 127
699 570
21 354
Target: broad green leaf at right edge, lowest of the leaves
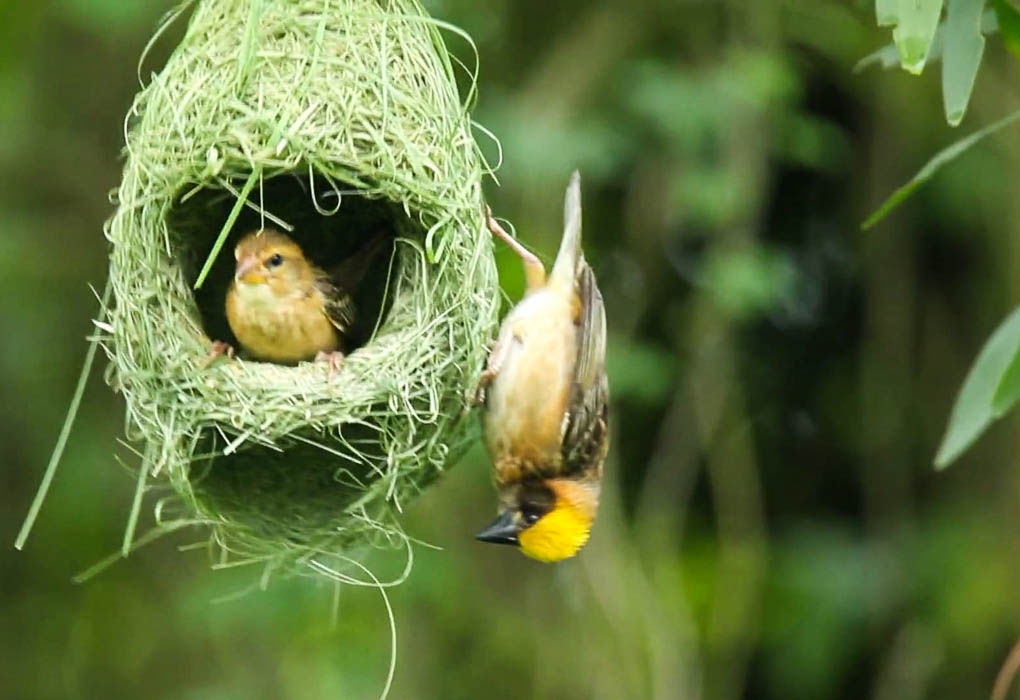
975 411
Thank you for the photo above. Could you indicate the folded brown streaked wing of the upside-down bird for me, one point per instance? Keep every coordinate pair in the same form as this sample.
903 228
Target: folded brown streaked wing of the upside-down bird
585 437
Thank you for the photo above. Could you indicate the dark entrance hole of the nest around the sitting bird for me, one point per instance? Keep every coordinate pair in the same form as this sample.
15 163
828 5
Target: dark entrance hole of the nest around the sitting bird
331 229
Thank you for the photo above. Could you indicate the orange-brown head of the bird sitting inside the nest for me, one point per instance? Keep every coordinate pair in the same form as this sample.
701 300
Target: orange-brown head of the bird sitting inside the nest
268 260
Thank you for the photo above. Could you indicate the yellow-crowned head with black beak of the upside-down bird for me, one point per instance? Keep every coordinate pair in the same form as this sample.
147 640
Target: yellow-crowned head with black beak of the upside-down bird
548 520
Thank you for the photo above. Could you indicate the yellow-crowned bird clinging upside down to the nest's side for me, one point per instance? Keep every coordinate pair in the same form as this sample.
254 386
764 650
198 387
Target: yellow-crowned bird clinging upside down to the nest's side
546 402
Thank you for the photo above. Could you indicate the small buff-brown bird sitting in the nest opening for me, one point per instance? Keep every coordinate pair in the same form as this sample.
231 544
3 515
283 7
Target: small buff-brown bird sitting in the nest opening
283 309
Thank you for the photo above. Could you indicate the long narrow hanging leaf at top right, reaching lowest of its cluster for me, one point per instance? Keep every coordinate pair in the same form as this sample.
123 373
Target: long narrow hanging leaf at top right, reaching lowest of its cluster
962 58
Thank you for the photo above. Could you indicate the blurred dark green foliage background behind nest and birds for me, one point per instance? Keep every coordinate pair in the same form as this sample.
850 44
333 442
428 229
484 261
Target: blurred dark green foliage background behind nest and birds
772 528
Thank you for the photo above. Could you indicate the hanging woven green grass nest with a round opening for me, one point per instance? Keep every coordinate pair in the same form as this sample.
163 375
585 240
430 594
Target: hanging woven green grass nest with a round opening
335 121
